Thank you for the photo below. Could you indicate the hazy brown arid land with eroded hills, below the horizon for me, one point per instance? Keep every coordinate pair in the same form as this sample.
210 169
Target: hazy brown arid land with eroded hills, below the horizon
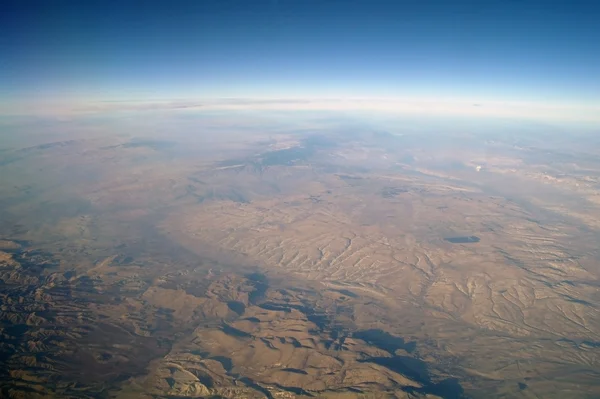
209 256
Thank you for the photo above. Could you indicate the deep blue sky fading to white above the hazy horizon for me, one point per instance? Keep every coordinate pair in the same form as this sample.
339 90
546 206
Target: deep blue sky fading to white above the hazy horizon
544 54
